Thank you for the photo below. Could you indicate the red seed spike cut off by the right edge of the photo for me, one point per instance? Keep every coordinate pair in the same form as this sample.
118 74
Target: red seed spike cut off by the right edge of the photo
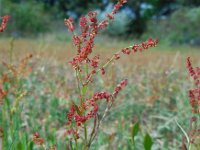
194 94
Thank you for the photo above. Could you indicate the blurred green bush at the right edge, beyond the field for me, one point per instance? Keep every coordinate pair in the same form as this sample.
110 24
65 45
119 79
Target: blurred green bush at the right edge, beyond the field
182 27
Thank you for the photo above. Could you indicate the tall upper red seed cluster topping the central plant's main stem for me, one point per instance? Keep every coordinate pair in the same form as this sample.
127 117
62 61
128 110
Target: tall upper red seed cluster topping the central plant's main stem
90 27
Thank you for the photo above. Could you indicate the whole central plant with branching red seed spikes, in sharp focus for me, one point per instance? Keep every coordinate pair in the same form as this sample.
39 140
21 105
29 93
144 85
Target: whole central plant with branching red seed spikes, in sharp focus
86 67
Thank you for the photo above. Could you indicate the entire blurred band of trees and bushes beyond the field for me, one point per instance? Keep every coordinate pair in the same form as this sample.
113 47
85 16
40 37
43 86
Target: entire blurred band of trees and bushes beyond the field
173 21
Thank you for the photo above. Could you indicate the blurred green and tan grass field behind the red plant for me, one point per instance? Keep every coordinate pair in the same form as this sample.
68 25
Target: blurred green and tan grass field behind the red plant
156 94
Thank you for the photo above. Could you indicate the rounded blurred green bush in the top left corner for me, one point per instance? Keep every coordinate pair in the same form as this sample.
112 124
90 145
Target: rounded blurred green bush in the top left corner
28 18
